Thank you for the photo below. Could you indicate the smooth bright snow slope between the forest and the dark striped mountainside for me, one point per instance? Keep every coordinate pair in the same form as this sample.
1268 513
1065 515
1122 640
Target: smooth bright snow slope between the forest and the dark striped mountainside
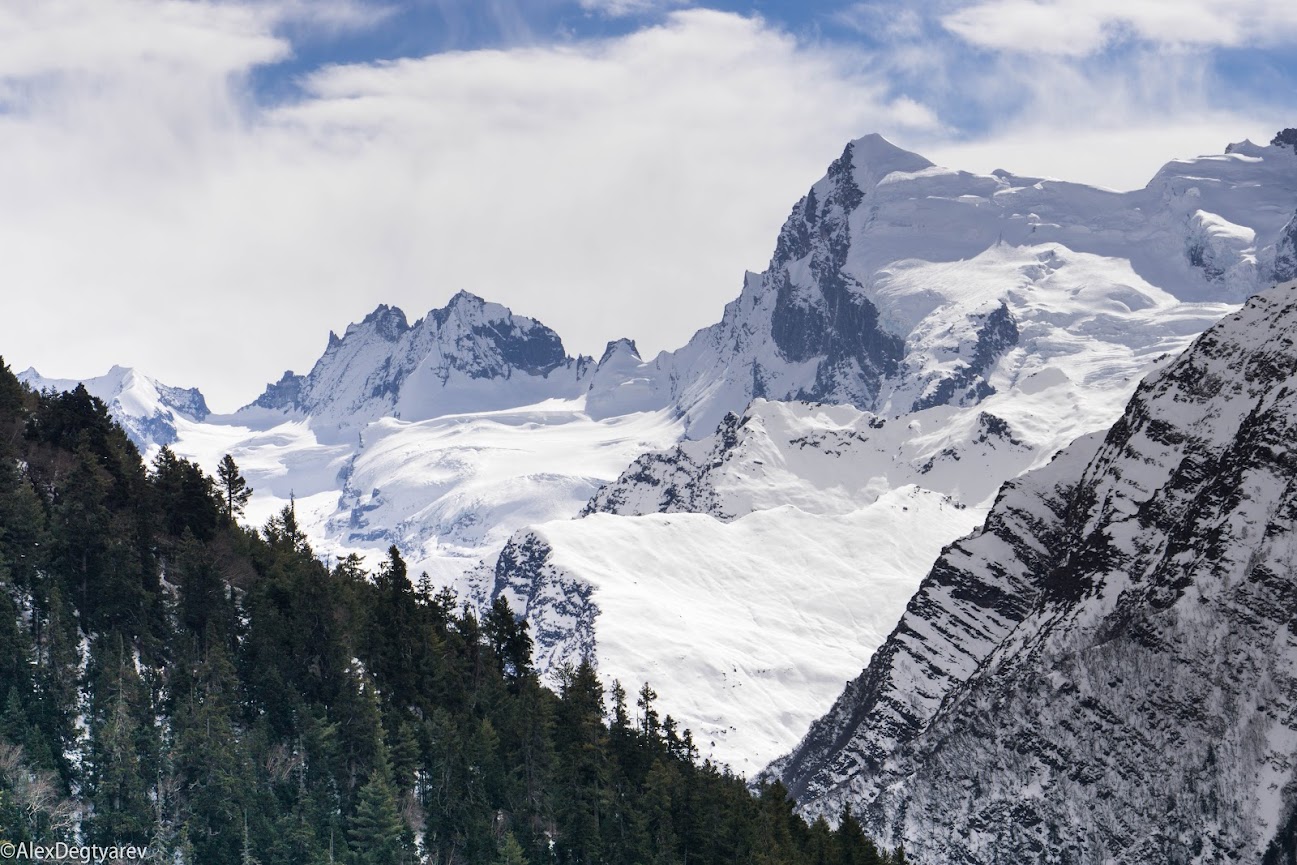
745 628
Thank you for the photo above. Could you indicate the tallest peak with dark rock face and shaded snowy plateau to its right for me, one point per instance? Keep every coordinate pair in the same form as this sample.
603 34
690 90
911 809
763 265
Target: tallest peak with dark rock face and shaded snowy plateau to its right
876 246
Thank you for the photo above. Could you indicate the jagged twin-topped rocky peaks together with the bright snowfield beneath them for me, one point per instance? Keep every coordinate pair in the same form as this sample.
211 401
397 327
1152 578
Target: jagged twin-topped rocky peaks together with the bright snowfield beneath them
444 436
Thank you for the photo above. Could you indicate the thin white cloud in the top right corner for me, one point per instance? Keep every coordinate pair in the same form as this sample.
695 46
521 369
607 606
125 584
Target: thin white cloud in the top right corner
1082 28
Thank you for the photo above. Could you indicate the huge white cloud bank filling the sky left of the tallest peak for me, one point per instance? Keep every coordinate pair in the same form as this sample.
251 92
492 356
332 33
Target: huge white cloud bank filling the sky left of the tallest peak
155 216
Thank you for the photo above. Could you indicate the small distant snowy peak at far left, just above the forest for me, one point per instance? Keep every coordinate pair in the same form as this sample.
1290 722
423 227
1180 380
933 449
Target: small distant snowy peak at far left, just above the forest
147 409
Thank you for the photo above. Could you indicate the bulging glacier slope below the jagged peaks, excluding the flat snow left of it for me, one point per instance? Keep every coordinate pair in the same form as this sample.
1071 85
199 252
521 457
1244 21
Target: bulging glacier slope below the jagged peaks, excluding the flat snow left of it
453 490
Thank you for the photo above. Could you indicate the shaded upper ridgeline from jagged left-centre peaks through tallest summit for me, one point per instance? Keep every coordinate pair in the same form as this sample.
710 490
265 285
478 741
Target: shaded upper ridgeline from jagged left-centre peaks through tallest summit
832 320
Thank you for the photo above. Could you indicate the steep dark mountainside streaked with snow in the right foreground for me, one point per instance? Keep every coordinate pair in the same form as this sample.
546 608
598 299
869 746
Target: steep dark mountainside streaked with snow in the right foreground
1106 671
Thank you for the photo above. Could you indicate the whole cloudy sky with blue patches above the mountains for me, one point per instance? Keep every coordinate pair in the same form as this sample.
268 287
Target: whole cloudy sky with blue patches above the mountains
204 190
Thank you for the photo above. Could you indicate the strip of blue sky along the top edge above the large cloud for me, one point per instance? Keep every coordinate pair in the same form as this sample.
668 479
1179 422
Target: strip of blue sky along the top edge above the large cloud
1254 68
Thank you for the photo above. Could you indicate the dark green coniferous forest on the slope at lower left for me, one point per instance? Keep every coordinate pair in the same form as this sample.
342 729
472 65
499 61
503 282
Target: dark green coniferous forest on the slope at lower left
174 680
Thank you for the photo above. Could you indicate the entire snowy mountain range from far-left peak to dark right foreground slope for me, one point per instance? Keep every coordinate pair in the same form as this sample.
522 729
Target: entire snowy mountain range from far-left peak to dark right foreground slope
750 521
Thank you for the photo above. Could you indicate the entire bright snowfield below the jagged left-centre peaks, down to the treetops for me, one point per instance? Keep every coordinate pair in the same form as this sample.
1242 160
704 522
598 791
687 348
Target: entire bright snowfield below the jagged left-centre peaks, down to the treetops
447 491
